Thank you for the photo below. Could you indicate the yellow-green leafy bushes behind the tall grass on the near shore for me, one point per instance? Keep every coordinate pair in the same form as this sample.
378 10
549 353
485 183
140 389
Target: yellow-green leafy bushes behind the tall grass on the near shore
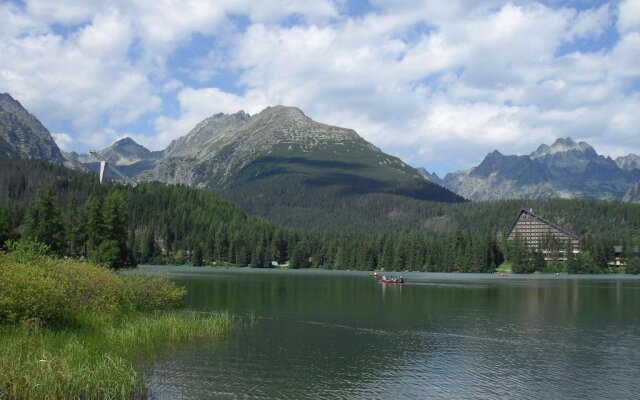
67 292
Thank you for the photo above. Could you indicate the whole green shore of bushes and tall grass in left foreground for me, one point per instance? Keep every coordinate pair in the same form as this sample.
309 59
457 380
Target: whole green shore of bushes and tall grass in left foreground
74 330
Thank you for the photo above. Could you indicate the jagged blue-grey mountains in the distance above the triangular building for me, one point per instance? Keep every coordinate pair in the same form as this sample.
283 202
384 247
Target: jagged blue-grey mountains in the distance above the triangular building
566 169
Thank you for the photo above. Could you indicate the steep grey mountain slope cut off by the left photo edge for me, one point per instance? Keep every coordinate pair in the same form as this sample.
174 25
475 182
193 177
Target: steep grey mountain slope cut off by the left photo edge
23 136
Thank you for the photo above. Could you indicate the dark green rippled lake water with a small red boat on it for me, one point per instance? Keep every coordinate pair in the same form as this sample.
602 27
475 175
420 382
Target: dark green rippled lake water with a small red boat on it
343 335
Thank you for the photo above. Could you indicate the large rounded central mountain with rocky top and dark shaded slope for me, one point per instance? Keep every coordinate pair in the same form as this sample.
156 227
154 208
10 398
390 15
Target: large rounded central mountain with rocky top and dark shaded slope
284 166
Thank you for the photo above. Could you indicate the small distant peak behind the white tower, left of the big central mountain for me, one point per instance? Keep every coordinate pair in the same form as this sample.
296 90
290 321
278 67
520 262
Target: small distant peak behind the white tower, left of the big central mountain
130 158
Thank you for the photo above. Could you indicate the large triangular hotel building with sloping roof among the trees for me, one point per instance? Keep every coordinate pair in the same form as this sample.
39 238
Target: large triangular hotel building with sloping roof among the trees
536 233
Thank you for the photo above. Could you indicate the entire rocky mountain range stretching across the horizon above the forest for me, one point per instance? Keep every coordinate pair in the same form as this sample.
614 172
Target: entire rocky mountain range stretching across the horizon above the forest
281 164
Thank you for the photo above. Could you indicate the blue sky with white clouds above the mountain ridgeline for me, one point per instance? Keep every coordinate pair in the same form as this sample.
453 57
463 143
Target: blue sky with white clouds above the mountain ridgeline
439 84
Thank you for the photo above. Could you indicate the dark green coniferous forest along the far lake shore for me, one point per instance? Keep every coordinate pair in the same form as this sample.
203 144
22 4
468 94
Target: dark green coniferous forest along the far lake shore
122 225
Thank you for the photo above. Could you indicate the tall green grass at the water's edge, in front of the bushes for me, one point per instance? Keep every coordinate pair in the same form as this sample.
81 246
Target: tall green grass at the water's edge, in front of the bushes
40 363
